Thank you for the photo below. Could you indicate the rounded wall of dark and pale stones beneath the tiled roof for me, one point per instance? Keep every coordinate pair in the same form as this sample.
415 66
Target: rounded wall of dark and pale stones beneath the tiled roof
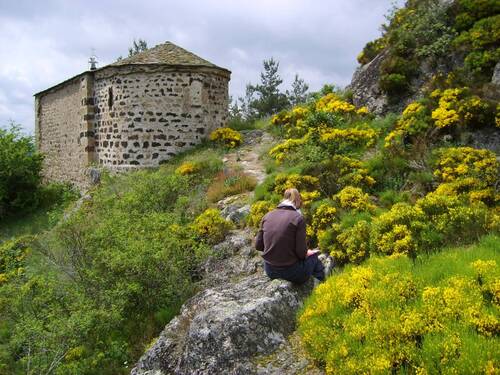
145 115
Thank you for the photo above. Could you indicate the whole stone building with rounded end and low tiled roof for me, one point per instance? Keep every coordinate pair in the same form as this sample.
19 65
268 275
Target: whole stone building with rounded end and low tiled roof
137 112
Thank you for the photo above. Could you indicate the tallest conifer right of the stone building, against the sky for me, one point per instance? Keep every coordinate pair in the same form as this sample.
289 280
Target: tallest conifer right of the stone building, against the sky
269 98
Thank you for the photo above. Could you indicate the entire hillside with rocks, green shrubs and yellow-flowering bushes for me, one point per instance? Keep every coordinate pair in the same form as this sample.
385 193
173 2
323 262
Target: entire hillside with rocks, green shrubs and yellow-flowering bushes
154 271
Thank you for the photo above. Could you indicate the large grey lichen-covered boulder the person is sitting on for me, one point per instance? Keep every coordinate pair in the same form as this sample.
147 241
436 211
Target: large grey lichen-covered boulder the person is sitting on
221 329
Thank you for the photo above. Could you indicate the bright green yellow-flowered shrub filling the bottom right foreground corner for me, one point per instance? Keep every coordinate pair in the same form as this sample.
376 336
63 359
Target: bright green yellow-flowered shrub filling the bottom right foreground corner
391 315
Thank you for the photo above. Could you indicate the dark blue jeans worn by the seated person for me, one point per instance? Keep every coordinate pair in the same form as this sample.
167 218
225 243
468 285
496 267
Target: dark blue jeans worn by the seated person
299 272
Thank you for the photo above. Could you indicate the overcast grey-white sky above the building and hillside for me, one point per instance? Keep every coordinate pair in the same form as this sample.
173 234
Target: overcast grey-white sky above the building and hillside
47 41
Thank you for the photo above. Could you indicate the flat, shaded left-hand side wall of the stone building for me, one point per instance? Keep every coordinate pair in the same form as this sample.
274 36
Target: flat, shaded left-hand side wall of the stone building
61 121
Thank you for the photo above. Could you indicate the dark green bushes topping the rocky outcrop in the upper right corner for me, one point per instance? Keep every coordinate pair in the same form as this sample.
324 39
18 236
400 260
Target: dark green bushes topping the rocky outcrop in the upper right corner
460 37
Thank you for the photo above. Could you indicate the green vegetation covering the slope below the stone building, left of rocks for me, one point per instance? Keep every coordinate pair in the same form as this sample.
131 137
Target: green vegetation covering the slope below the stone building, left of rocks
89 295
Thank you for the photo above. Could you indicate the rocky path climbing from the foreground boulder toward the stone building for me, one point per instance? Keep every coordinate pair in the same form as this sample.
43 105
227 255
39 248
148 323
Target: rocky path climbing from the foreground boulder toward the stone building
240 322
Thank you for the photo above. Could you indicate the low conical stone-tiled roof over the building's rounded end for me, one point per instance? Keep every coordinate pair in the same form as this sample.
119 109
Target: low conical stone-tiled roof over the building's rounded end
166 54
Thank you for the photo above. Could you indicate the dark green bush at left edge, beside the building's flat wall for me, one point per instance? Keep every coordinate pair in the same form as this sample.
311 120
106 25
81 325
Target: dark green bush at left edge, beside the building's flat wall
20 172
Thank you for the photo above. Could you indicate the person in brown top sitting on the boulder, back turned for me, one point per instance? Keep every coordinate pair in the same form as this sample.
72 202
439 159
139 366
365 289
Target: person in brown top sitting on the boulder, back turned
282 239
